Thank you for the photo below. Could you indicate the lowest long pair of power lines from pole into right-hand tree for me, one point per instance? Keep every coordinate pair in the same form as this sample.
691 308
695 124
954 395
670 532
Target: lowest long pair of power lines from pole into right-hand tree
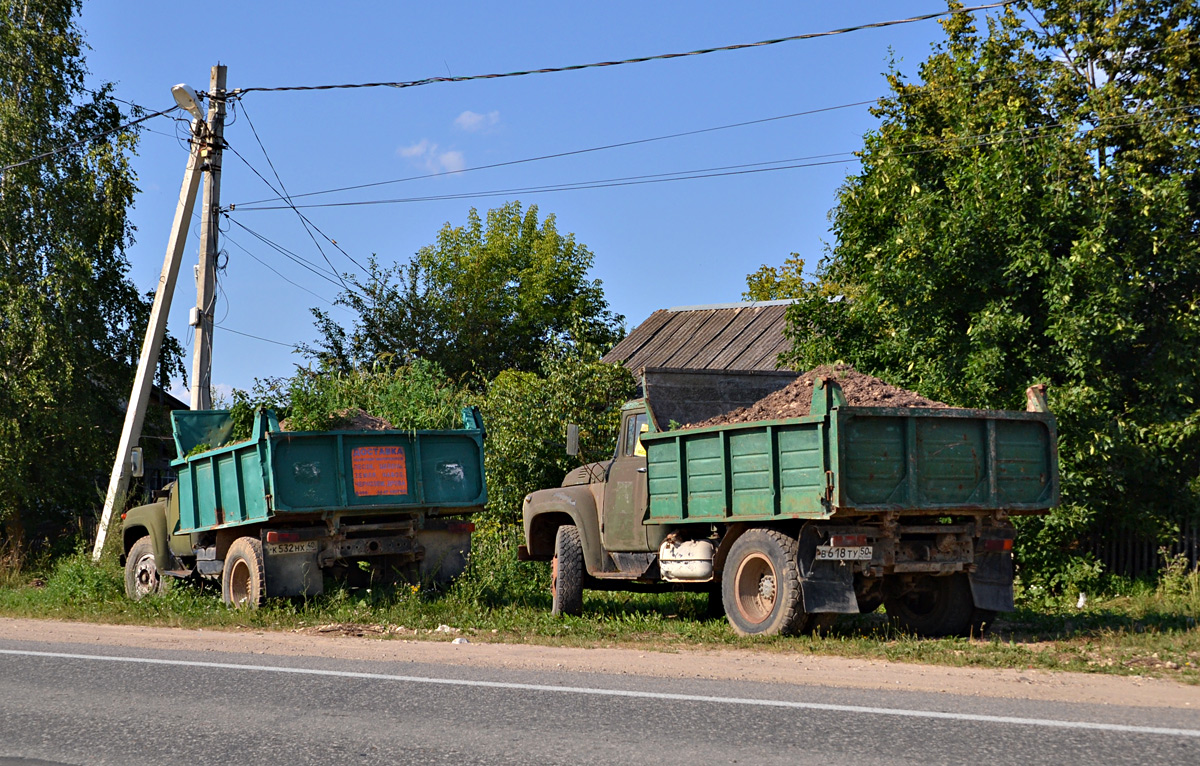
985 140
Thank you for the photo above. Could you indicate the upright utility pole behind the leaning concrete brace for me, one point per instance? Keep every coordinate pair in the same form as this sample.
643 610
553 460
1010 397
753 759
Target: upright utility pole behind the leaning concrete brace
207 276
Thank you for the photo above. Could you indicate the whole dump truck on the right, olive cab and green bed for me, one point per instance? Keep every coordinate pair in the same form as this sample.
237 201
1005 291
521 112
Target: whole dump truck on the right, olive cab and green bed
791 523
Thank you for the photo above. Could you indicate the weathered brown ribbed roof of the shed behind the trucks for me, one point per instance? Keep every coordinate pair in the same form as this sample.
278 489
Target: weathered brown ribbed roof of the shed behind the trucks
722 337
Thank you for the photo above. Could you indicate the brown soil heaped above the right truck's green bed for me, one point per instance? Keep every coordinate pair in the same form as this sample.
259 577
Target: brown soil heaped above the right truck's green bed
796 400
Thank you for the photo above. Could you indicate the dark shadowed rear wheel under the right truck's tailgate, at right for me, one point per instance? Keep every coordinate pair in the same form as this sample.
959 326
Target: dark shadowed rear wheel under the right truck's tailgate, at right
933 607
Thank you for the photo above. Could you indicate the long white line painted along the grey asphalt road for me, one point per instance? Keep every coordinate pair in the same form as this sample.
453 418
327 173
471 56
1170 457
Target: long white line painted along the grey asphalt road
623 693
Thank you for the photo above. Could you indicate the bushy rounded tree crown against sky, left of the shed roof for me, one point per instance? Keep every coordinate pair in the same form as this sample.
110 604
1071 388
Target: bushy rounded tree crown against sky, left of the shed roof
482 300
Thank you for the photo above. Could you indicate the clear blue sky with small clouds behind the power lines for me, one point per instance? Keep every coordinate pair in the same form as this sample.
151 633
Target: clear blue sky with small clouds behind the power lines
656 246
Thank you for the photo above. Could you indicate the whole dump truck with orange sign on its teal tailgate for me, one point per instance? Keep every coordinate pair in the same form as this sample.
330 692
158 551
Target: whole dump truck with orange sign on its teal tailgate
269 517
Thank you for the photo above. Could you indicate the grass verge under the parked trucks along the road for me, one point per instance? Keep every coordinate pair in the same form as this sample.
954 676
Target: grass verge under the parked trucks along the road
1138 630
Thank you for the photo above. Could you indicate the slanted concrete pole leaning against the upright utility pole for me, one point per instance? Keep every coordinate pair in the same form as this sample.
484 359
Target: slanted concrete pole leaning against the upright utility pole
148 364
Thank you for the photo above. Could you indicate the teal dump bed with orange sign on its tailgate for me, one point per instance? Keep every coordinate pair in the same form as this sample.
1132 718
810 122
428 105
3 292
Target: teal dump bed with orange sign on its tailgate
279 472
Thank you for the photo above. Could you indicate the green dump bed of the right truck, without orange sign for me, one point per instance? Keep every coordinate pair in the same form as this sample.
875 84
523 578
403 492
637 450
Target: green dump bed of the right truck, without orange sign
855 460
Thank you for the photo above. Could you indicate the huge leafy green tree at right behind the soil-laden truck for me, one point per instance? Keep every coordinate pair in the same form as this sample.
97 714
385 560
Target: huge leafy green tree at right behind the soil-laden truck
1029 212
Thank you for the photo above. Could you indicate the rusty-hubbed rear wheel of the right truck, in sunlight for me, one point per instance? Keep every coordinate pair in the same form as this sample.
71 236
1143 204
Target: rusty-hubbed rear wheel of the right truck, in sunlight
761 585
